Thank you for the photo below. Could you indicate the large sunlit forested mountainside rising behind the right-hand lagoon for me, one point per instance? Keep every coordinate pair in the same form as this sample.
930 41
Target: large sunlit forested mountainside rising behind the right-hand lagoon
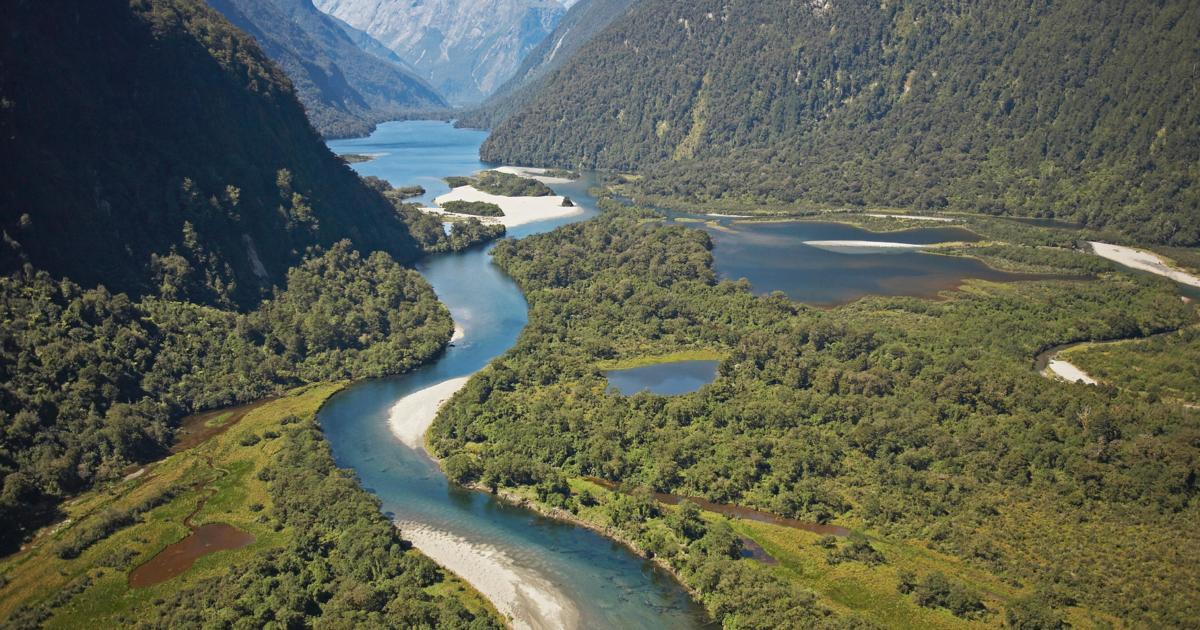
1076 110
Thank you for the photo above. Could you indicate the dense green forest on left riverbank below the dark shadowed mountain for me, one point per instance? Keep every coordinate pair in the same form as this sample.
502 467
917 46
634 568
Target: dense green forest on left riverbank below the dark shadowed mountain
94 381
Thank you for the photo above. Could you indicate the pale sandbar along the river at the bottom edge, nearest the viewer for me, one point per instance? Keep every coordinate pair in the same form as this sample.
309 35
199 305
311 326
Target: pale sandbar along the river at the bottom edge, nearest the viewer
527 599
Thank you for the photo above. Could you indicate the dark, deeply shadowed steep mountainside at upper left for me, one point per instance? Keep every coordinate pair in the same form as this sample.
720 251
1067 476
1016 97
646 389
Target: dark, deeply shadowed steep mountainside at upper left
179 157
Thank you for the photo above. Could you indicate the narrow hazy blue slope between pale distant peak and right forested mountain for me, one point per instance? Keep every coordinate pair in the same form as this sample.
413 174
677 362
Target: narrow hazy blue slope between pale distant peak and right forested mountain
581 23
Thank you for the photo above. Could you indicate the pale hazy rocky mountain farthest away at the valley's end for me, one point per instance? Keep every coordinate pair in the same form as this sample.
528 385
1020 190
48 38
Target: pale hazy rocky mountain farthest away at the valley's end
465 49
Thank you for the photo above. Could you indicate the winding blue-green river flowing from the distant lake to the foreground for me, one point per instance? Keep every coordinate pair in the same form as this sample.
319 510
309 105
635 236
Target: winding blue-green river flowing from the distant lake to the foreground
555 575
